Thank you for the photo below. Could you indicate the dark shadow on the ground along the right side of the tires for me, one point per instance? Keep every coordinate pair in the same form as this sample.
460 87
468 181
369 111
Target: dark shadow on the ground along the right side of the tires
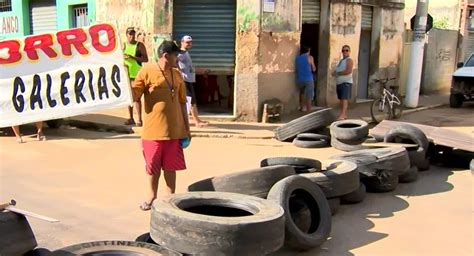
352 225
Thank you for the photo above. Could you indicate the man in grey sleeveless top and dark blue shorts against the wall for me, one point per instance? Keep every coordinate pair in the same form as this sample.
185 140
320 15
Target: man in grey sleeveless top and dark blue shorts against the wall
344 80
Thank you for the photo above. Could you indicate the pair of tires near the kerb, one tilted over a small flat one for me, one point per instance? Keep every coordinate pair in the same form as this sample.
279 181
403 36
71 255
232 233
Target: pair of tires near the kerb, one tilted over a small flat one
307 131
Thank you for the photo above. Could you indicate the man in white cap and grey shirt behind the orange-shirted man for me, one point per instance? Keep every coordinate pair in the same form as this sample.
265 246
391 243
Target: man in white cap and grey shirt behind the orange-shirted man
185 64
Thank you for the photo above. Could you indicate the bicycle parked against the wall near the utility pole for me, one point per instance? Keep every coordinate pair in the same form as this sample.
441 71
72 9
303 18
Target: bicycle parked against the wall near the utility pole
389 105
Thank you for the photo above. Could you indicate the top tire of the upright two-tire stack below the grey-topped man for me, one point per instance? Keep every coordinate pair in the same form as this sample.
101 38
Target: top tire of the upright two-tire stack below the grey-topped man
351 130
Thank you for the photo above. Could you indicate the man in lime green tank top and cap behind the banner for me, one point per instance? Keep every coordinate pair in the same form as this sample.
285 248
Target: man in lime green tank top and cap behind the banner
135 55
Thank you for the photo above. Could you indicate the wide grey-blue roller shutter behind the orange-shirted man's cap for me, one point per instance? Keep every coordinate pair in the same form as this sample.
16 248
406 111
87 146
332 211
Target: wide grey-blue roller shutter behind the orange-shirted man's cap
211 24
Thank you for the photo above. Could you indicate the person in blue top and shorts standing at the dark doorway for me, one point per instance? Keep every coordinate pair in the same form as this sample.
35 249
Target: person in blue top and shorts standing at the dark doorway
304 78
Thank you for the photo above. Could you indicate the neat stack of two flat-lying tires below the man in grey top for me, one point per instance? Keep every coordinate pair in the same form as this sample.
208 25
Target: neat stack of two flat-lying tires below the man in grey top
348 135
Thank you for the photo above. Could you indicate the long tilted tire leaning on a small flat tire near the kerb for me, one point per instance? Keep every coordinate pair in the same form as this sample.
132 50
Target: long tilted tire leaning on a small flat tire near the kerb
313 121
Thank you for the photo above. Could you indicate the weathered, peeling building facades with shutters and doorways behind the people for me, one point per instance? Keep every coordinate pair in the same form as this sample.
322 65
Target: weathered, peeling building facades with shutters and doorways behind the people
244 50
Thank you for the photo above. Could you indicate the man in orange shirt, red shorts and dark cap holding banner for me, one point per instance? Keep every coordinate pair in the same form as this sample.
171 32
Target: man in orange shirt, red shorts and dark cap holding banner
166 118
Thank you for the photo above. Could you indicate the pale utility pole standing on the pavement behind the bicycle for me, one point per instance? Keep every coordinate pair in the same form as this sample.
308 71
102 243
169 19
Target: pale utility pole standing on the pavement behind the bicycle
416 54
